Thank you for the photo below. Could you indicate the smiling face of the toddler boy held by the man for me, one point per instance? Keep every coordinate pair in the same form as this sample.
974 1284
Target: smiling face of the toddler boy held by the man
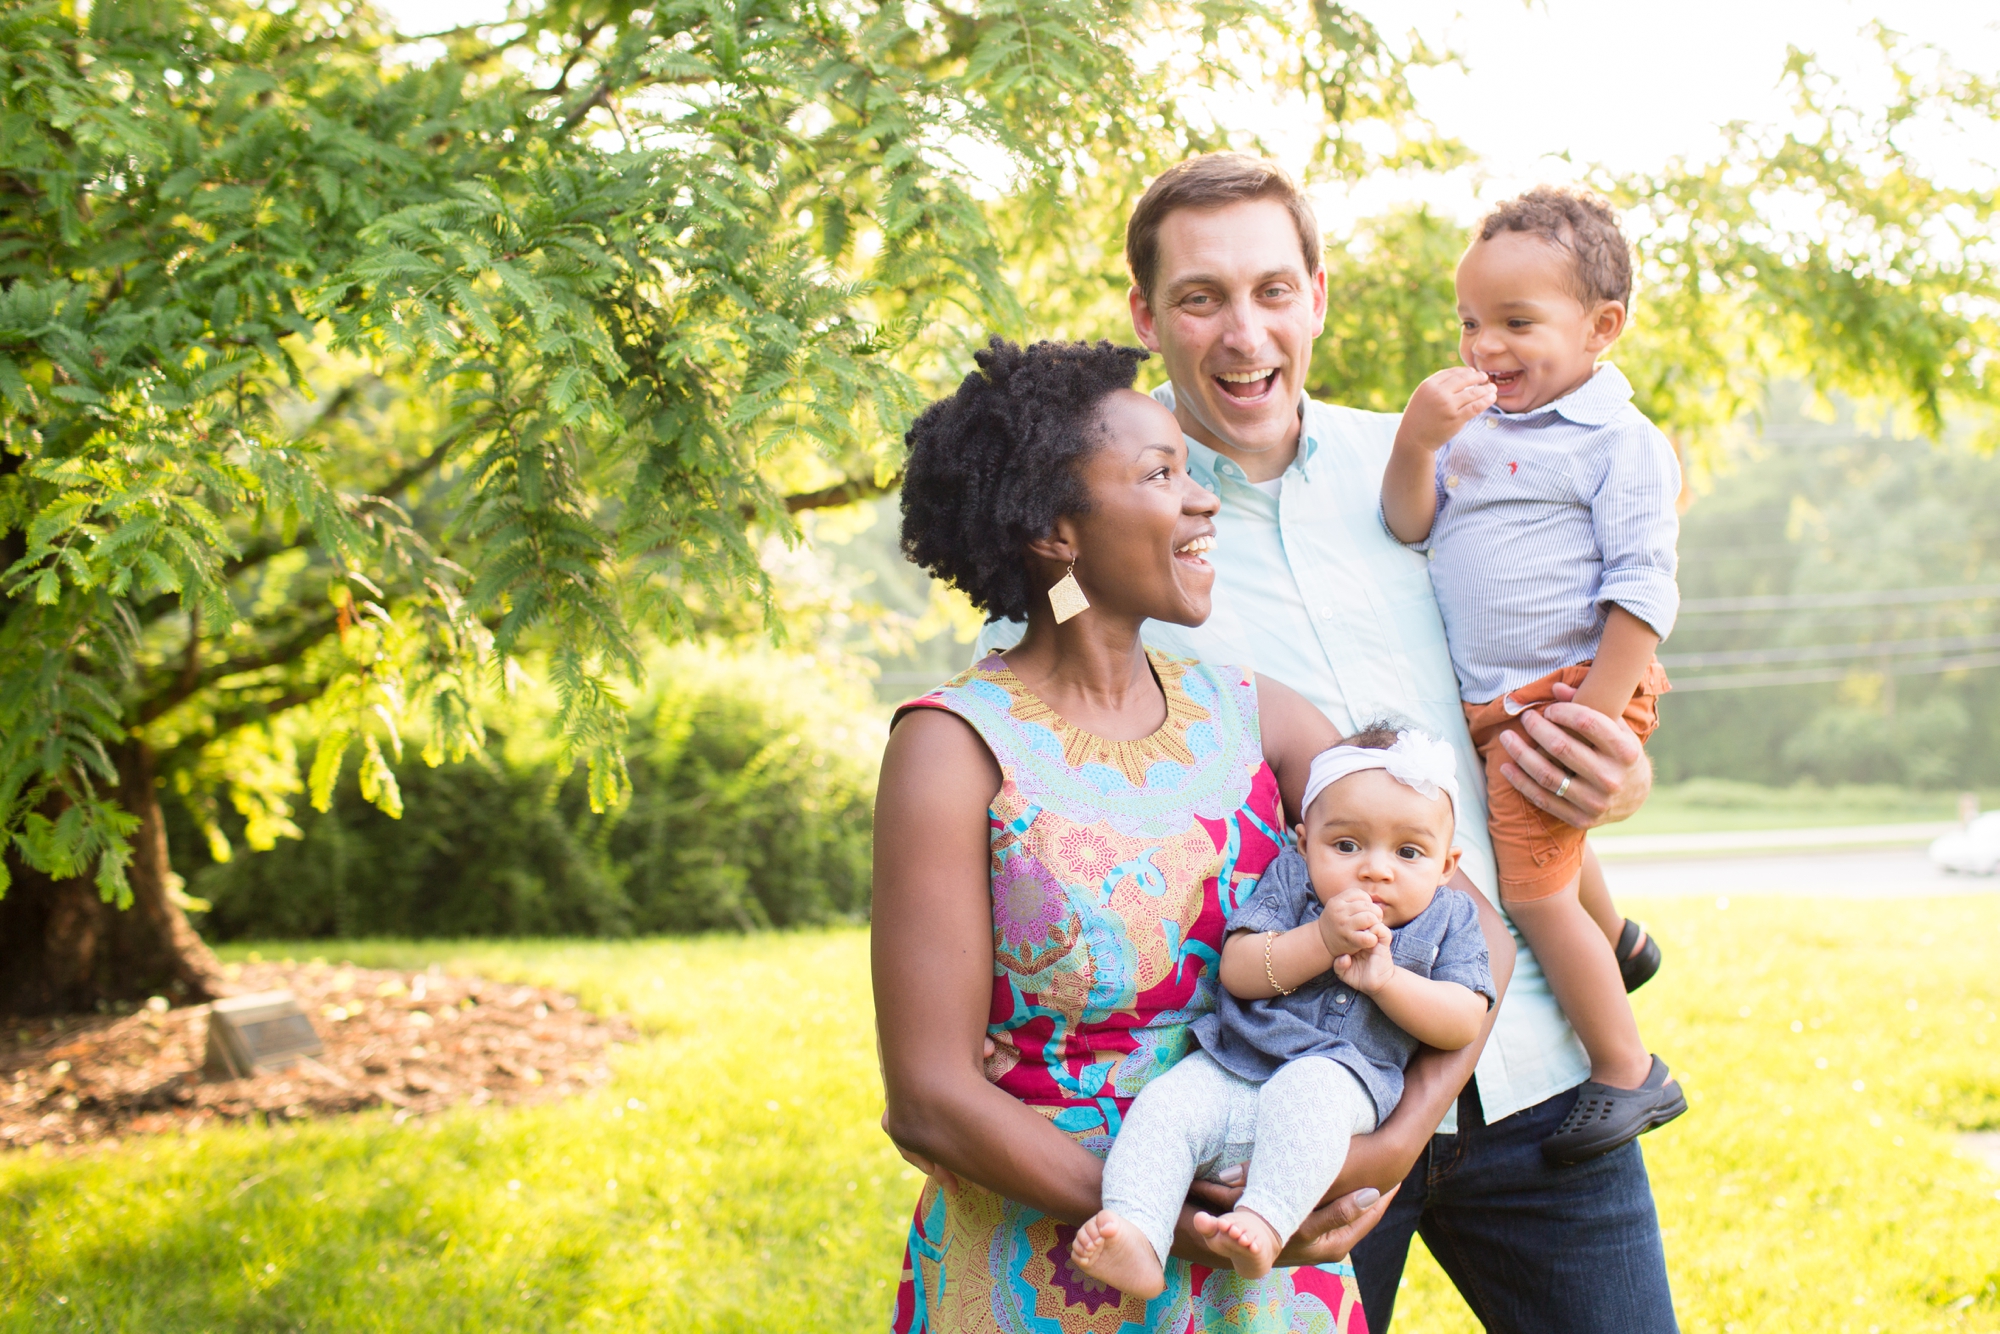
1519 321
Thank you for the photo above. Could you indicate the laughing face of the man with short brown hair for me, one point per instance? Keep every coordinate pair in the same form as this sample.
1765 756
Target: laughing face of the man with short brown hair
1235 315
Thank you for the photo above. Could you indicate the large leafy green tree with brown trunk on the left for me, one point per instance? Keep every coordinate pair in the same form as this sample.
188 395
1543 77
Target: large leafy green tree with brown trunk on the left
343 373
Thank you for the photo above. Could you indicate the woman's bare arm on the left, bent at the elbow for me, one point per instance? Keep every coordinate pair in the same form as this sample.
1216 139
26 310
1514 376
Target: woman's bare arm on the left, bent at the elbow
933 957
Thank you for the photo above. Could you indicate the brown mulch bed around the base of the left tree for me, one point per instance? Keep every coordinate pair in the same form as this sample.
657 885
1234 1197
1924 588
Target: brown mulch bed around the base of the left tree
417 1043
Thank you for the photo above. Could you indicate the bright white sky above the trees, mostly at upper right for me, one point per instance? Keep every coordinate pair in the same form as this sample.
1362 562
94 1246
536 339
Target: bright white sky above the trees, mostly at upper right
1617 83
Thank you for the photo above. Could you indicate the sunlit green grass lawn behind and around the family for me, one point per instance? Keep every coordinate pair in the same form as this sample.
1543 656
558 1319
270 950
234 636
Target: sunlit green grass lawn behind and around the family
733 1175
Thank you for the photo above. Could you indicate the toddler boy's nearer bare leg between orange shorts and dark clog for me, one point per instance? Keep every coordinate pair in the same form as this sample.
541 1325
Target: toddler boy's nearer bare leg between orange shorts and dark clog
1583 971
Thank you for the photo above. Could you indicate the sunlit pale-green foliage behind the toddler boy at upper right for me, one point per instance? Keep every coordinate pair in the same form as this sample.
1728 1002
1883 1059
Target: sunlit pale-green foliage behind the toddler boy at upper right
1827 255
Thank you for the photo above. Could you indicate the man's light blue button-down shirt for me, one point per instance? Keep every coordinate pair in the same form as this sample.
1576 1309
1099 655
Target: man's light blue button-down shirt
1315 593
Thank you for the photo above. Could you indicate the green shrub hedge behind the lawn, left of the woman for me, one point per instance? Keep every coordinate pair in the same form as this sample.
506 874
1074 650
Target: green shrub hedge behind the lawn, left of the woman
753 787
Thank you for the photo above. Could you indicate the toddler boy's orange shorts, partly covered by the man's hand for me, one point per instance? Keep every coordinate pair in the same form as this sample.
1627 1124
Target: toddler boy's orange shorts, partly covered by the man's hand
1537 853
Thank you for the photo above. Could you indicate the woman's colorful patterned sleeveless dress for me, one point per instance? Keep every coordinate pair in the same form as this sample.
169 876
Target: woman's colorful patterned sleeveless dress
1115 867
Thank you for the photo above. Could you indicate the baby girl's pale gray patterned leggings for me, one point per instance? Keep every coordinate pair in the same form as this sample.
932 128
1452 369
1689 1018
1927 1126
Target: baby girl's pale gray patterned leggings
1199 1119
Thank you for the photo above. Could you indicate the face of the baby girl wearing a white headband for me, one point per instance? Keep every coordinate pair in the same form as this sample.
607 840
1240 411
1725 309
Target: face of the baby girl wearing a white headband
1383 837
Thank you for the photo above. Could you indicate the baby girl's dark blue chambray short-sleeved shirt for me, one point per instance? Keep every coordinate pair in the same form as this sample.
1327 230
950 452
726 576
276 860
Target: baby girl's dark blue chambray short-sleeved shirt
1325 1017
